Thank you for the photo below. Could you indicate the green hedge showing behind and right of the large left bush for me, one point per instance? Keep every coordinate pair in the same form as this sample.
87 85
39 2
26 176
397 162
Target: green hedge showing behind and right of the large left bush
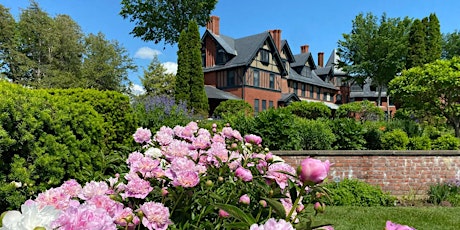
114 107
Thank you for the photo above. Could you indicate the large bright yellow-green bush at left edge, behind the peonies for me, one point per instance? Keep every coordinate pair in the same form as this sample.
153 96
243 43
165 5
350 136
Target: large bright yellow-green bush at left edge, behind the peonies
46 140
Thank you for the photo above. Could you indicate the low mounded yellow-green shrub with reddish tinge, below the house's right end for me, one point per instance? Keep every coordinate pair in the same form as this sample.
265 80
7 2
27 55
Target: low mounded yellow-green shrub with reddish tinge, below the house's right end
363 110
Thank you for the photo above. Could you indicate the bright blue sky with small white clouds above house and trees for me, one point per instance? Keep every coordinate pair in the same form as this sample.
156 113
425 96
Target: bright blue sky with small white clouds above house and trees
318 23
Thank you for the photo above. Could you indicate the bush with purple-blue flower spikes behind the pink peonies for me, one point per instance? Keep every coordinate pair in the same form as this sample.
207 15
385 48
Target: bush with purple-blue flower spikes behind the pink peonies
153 112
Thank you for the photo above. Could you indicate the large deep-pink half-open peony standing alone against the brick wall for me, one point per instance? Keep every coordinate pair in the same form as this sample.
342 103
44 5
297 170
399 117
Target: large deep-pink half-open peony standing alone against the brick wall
313 171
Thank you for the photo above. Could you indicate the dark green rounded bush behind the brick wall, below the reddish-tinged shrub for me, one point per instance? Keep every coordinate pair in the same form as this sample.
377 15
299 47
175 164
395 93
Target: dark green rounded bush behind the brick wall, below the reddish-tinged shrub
349 134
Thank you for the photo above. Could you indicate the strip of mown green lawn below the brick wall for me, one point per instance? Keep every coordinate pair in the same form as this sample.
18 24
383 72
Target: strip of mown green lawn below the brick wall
421 218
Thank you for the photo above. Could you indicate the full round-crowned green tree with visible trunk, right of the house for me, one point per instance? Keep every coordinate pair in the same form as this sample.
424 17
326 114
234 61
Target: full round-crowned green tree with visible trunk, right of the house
374 50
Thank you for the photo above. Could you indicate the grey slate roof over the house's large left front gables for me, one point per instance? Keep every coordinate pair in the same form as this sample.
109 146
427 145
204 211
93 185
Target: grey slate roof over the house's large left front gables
245 49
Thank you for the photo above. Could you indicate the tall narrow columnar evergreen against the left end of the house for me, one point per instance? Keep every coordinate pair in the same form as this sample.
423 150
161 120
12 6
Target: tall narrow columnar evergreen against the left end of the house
190 77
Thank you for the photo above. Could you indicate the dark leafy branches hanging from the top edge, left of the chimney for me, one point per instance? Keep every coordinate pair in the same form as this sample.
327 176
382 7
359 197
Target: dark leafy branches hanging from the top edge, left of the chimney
159 20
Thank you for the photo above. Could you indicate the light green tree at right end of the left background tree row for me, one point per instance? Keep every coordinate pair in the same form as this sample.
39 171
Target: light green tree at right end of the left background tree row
105 64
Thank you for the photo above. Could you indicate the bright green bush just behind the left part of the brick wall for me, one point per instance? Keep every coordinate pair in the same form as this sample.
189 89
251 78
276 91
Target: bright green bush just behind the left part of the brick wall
315 134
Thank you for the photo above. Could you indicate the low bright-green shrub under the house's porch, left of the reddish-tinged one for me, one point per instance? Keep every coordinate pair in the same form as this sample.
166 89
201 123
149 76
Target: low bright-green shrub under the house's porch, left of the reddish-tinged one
310 110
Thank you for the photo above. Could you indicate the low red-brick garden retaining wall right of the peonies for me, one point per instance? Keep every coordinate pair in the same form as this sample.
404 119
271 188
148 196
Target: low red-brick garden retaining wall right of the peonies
397 172
